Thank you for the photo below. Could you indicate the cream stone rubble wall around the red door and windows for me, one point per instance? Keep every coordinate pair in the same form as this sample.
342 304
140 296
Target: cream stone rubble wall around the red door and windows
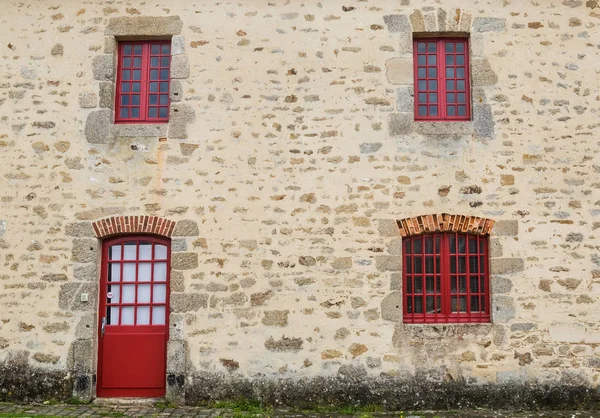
290 155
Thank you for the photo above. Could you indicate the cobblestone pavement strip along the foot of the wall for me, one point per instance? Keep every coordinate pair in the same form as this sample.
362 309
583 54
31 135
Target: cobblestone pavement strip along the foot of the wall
37 410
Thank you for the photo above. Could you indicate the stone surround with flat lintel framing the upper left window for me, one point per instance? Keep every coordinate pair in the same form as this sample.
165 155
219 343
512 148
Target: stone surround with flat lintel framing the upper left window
100 127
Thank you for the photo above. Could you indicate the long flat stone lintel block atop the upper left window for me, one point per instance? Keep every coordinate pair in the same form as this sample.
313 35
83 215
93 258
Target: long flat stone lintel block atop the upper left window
144 26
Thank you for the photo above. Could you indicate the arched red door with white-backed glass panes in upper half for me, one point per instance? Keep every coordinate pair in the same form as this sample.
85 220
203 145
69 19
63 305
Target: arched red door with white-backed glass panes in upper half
134 317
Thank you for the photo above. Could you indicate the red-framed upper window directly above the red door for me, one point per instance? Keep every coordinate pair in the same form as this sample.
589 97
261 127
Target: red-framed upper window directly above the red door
143 82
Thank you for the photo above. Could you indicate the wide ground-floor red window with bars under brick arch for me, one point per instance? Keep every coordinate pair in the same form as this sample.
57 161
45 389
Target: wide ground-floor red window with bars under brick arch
446 278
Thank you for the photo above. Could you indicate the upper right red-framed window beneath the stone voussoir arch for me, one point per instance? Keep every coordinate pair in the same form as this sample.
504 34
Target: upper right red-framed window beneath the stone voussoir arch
441 69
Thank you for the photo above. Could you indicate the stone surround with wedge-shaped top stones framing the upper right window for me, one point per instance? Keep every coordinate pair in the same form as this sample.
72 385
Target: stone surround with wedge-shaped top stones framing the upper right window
430 21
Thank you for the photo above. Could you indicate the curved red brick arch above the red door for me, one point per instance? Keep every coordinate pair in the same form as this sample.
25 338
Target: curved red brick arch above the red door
142 224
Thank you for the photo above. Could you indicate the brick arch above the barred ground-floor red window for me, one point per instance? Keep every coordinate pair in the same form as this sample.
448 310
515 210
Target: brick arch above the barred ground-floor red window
445 222
